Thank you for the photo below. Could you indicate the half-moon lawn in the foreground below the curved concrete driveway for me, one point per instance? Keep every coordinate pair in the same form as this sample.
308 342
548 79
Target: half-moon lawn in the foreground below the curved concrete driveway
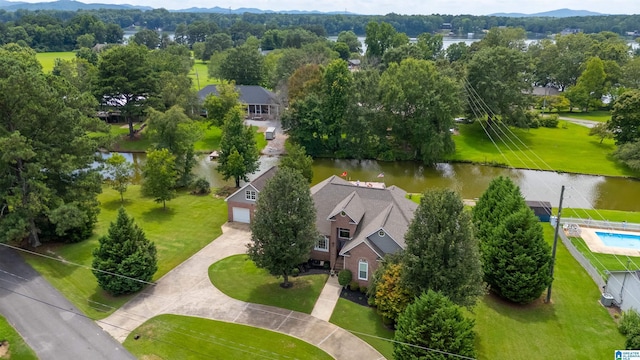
182 337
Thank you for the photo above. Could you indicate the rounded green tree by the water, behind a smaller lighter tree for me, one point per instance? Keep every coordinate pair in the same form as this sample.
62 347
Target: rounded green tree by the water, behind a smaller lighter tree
174 131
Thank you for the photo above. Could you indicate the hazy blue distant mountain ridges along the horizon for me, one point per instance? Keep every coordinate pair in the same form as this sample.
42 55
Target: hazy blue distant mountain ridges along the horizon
72 5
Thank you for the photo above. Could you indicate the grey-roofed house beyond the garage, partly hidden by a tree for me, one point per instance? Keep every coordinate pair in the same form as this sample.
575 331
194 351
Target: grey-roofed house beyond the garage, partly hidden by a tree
260 103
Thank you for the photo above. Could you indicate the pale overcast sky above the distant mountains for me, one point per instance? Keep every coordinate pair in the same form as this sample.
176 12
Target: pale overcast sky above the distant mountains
423 7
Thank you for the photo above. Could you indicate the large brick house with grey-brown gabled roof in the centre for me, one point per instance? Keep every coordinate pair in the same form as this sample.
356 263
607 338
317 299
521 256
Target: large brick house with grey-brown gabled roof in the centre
359 223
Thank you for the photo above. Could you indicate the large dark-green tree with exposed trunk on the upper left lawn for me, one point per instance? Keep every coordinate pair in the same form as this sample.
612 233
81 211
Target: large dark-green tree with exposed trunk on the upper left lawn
126 80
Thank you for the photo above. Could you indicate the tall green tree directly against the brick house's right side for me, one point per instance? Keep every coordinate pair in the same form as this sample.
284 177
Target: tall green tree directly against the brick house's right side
442 253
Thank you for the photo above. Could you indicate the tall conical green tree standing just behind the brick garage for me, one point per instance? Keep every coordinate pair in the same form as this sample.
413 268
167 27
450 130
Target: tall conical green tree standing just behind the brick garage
238 152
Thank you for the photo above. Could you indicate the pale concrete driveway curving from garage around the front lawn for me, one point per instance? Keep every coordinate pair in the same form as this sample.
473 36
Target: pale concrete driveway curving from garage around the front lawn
186 290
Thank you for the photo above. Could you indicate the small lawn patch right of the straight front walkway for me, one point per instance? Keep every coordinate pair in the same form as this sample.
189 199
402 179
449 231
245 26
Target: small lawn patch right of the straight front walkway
363 319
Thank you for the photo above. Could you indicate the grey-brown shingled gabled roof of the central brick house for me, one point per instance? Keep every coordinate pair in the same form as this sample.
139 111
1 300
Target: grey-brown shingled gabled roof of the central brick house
383 208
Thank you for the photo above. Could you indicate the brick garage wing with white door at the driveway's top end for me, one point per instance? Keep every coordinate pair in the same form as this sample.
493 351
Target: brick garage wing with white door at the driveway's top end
242 203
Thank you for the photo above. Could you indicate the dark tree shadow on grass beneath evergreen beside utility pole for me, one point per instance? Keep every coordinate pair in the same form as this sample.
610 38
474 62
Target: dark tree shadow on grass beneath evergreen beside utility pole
537 311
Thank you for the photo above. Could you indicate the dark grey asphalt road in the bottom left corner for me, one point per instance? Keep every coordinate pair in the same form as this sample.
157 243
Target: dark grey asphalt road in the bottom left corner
46 320
